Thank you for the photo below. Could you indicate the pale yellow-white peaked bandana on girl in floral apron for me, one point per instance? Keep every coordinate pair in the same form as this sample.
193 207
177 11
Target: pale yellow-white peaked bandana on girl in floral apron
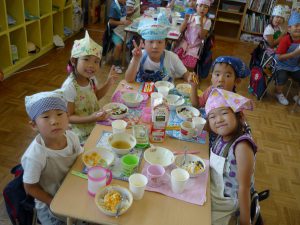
86 46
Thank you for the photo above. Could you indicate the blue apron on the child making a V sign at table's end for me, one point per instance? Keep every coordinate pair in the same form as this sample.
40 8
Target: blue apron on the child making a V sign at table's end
146 75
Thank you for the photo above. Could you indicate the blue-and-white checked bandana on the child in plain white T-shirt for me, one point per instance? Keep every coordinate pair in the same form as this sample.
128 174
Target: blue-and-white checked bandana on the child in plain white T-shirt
42 102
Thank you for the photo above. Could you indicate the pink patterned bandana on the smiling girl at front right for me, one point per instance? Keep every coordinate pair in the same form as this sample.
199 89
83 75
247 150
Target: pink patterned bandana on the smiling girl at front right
220 98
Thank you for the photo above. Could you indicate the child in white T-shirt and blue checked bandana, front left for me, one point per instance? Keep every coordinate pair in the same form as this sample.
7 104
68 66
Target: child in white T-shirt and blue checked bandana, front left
51 154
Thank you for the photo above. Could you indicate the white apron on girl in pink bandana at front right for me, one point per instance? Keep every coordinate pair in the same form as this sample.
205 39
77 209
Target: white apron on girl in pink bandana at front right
222 207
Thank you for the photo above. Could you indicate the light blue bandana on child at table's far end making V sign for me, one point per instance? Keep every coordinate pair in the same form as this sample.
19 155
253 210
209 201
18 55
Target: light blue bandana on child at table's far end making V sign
154 30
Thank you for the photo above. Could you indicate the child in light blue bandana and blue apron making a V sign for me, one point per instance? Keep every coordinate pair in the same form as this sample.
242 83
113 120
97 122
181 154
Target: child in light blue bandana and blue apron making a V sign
154 63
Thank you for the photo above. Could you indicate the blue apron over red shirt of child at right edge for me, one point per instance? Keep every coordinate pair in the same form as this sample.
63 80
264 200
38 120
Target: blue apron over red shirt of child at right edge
292 64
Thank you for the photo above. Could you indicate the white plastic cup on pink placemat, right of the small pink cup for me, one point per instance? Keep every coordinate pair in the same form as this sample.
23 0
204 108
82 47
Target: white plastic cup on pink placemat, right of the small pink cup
179 179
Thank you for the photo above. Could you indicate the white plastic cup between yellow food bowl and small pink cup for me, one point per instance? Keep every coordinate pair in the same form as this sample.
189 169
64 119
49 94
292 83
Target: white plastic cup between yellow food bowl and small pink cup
137 185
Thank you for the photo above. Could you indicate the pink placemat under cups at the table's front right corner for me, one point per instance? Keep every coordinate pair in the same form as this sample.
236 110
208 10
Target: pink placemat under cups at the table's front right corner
195 191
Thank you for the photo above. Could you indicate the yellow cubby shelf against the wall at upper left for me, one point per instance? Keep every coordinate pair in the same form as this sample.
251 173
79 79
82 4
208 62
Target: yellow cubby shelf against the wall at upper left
35 21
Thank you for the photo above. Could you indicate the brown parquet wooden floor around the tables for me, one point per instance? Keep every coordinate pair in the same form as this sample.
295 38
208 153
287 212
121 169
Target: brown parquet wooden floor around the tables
275 129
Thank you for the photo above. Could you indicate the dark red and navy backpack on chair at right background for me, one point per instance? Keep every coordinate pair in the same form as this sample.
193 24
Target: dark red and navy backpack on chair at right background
257 84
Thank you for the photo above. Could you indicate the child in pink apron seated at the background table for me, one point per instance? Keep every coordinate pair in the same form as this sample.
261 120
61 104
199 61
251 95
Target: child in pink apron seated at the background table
195 29
